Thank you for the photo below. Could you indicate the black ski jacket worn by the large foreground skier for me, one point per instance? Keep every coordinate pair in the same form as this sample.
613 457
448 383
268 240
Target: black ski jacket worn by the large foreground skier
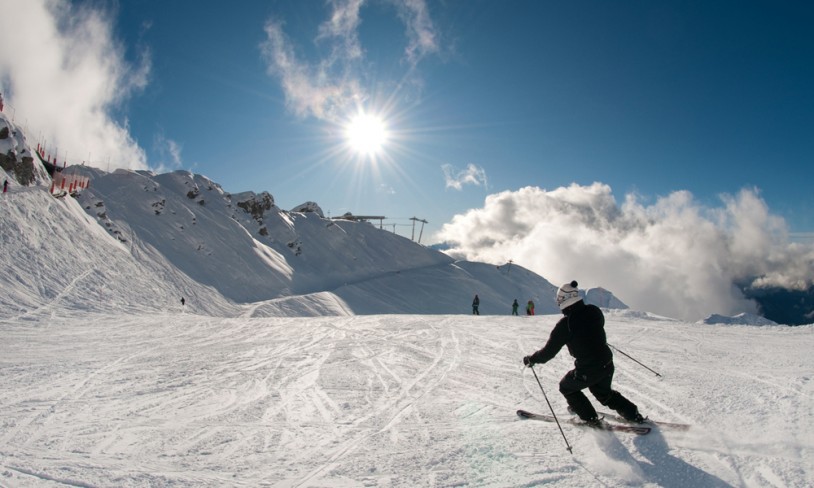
582 329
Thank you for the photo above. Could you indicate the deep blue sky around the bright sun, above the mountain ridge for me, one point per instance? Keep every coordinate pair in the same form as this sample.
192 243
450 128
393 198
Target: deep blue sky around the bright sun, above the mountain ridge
478 98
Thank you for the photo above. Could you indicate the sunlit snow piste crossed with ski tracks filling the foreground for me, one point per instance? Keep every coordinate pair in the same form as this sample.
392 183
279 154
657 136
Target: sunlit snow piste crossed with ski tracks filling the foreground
187 400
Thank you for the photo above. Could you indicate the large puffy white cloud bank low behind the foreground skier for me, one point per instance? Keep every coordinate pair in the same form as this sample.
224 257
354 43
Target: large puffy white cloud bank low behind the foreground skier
674 257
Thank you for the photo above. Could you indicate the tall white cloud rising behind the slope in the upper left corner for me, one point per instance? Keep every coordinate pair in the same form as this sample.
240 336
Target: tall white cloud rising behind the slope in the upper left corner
65 74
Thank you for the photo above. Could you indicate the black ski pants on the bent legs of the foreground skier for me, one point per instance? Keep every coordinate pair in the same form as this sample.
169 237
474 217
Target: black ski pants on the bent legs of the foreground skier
597 380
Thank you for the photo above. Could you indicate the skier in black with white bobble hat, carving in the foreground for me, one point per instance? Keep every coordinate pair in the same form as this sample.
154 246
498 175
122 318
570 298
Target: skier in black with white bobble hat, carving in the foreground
582 329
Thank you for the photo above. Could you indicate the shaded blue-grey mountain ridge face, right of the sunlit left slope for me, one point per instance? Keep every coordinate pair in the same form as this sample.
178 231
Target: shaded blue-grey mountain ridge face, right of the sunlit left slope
251 251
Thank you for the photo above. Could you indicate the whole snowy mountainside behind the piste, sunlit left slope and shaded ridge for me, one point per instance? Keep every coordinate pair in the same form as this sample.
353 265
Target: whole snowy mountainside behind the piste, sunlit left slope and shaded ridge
180 234
